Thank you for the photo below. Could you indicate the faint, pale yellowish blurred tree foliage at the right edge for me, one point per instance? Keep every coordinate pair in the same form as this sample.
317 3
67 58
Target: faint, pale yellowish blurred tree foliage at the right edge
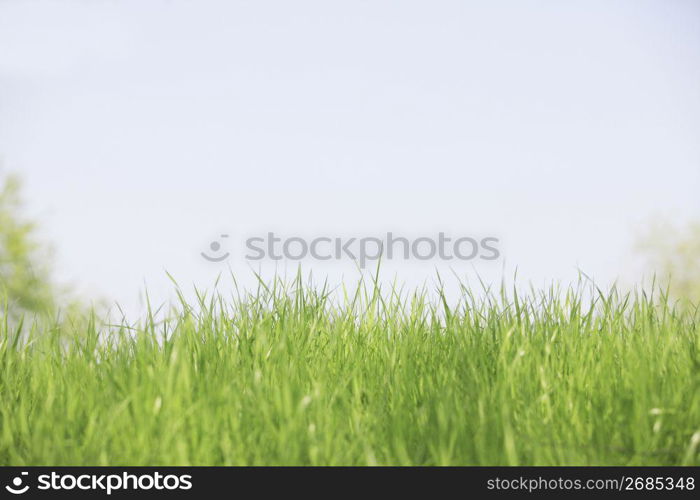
674 255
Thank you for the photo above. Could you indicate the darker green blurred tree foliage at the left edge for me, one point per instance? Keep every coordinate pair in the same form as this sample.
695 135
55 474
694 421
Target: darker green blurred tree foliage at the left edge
25 285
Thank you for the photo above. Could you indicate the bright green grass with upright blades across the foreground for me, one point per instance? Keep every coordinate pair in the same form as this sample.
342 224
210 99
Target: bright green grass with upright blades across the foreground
301 375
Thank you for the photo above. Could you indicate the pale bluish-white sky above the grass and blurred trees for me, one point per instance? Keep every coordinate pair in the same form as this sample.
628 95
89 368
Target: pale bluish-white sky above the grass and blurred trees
144 130
